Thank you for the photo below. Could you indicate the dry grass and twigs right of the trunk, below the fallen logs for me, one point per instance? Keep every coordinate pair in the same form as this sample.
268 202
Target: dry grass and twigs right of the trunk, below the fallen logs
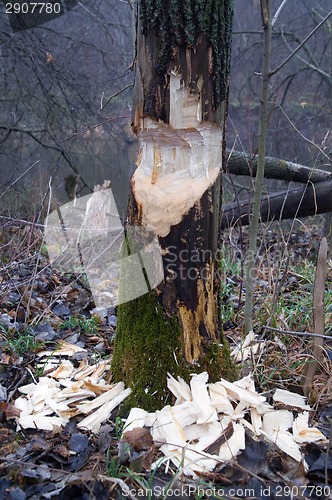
283 300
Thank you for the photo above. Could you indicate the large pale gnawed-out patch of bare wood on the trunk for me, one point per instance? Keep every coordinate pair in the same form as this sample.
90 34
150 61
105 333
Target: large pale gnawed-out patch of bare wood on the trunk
175 168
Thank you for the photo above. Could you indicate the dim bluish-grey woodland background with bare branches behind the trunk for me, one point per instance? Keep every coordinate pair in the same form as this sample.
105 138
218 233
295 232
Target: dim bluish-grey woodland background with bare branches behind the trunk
66 97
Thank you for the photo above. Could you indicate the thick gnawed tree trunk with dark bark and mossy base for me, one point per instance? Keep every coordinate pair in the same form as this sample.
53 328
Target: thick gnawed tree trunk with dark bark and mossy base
183 56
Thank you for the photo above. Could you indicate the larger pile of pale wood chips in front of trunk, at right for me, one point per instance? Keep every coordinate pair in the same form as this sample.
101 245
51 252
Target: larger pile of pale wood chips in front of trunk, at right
208 422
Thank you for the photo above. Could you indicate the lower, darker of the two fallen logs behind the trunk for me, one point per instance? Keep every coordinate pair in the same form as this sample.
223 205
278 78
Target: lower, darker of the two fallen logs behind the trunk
300 202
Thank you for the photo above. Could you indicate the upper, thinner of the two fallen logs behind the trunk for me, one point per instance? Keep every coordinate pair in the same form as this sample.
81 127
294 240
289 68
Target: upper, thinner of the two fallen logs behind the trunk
275 168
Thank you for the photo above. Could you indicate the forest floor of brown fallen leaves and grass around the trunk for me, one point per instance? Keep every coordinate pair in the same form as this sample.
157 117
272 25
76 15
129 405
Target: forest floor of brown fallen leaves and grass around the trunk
40 309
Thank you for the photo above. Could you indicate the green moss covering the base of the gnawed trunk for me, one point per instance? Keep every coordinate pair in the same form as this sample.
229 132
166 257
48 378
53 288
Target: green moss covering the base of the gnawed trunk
147 347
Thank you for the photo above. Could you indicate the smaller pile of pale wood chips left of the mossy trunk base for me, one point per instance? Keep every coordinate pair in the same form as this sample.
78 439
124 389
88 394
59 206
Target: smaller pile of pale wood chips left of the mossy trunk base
67 392
